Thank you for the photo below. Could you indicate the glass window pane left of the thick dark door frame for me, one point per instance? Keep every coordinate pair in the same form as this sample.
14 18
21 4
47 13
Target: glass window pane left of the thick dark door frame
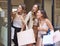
3 23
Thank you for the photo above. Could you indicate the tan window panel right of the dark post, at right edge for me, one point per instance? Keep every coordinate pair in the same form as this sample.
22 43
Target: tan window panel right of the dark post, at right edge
57 13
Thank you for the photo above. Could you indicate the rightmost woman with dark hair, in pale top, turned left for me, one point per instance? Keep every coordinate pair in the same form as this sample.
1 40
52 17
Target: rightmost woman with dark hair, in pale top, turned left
44 25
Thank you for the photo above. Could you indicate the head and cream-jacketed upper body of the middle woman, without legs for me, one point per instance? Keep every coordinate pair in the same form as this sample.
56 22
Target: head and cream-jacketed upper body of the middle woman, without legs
32 15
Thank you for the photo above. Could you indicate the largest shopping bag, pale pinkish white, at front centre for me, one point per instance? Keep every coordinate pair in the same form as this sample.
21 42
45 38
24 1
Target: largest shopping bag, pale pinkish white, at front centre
25 37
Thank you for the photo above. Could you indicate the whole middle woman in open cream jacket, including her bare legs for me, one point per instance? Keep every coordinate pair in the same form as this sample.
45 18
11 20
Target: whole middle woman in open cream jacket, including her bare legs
30 18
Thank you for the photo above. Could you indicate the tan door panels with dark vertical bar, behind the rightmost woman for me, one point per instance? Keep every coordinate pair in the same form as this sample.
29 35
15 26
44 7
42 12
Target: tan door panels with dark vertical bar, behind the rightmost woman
52 8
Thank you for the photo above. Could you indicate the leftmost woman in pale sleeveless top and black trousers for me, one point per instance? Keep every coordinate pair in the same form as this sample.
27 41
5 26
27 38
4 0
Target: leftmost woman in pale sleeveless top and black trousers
18 21
